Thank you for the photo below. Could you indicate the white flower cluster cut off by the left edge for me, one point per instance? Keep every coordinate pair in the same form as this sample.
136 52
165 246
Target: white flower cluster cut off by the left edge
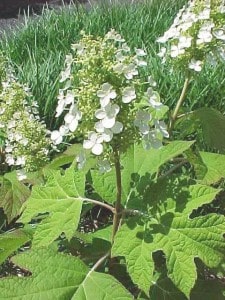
26 146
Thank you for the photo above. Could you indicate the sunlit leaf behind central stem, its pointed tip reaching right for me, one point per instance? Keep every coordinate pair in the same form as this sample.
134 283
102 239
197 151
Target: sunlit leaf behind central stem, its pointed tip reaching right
136 161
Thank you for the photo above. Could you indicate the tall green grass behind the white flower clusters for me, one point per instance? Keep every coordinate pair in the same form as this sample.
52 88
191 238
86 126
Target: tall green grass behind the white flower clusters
38 48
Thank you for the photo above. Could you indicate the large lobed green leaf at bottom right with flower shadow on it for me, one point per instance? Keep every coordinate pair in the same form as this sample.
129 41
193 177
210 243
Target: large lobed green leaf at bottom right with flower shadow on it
172 231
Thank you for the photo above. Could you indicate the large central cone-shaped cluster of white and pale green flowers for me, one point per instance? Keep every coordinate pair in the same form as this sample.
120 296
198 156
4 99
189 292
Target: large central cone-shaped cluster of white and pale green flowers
103 99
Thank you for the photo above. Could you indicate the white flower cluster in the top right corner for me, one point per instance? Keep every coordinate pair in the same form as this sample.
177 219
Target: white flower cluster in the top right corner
196 35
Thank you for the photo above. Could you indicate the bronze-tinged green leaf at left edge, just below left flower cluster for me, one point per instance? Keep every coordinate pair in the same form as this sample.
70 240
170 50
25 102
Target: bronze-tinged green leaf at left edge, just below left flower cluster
13 193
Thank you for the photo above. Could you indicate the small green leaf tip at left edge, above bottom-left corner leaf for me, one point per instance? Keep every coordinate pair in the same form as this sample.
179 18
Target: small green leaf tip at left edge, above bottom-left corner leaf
10 242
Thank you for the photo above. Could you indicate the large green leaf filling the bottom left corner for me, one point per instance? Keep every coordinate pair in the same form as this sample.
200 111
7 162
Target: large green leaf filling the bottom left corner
59 277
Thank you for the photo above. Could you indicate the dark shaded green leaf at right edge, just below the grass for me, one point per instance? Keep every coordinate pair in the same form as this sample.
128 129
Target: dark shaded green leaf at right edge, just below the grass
212 123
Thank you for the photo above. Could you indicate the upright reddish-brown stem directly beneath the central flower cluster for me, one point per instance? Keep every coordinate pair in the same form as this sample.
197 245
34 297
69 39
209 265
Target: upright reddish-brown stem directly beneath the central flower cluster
118 208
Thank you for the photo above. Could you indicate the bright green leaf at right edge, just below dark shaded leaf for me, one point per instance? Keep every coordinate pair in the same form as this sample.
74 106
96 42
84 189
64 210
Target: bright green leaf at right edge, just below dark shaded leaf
215 164
